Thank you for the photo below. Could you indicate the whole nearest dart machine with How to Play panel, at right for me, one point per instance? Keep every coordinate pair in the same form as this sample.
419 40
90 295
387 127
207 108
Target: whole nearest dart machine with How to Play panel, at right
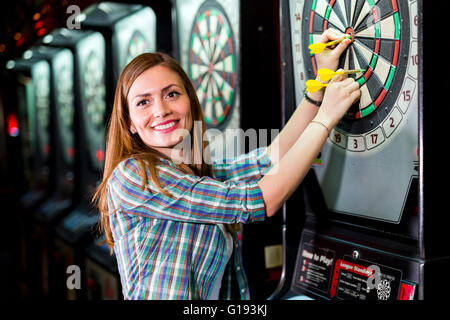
366 236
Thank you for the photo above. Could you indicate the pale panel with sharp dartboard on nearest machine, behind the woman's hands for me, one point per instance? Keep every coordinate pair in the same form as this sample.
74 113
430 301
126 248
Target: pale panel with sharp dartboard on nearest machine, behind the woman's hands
370 159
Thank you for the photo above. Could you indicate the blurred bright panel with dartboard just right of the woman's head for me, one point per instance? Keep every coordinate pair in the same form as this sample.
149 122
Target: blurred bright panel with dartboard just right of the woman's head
209 52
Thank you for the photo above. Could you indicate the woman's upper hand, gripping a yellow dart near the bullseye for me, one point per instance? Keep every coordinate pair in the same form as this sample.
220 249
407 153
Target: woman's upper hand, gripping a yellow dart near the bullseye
329 57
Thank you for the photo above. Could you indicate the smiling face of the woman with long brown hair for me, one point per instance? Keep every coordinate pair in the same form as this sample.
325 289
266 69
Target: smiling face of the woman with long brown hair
158 105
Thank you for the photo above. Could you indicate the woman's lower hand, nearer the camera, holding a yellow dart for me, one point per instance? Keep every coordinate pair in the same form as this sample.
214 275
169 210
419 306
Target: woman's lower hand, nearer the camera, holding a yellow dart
340 94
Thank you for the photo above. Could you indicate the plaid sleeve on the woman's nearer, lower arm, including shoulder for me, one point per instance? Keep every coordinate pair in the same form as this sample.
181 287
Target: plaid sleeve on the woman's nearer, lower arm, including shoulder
193 199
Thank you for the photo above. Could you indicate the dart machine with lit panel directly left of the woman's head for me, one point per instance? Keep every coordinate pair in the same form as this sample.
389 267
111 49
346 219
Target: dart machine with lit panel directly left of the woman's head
129 30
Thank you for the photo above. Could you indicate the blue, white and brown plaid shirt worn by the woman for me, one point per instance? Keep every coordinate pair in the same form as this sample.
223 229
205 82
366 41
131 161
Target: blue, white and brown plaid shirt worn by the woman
173 248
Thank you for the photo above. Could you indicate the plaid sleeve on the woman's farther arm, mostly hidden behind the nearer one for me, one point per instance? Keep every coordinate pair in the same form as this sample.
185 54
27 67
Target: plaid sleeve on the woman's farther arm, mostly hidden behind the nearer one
251 165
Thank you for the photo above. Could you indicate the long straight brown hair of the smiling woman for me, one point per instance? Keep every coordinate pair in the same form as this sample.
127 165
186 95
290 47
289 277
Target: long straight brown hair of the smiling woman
122 144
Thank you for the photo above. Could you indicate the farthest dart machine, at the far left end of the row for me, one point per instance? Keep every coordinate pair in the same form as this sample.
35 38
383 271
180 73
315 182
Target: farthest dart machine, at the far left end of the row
31 92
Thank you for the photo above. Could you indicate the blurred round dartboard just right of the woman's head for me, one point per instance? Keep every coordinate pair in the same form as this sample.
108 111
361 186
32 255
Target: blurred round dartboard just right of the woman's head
212 63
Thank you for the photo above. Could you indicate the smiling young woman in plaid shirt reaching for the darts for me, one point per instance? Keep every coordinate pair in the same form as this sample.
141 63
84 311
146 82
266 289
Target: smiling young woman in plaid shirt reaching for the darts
168 222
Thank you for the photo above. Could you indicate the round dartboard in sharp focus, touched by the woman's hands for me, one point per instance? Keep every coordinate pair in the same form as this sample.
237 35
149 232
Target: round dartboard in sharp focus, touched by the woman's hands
380 32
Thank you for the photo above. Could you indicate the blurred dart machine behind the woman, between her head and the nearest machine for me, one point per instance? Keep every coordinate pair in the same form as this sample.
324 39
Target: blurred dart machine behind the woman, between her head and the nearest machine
222 46
